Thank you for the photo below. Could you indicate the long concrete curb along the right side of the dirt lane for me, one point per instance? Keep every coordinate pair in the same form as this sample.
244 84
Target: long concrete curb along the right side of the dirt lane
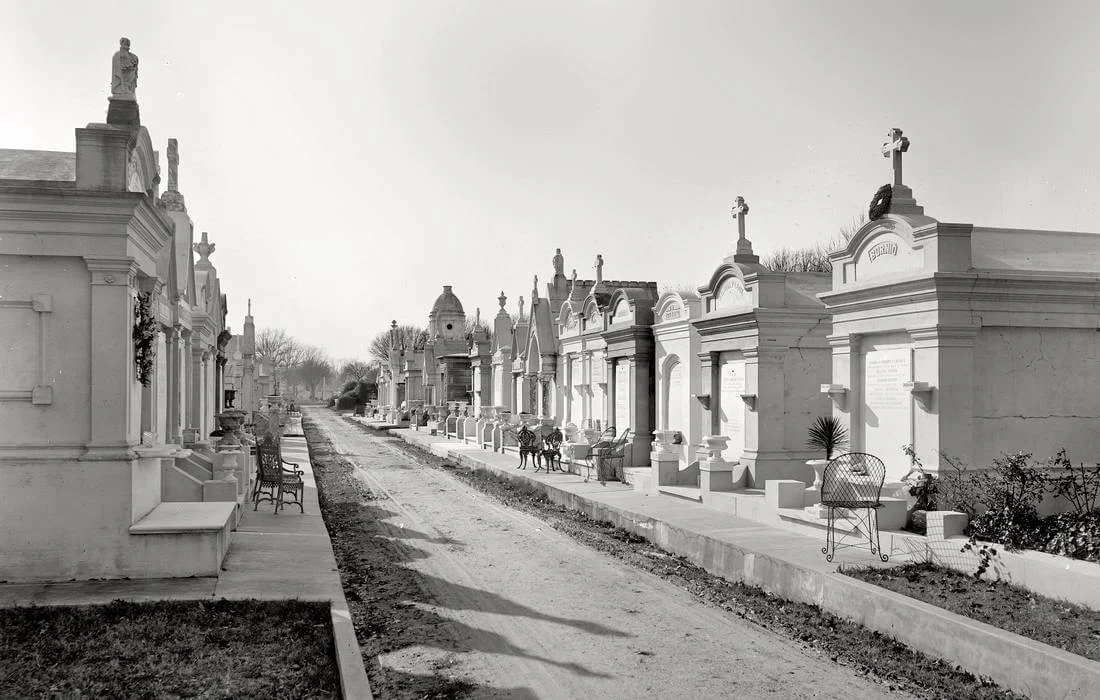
1036 670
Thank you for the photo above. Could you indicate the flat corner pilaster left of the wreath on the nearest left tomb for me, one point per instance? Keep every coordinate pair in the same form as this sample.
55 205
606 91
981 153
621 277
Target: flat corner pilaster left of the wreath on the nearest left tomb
113 395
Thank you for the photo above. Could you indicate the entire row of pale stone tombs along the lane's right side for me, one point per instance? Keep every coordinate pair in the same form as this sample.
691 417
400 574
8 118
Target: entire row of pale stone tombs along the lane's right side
961 341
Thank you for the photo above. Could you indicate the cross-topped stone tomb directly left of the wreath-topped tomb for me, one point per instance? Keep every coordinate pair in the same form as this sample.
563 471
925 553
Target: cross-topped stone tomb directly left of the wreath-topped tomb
764 356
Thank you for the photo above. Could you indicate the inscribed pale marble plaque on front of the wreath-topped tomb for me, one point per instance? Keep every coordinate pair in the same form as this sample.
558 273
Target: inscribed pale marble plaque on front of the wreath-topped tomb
888 408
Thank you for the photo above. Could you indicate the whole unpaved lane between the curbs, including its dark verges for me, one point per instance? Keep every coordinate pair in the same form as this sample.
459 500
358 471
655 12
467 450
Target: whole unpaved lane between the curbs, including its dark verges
812 655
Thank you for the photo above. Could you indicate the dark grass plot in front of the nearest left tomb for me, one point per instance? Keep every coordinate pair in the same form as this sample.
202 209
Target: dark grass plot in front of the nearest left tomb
210 649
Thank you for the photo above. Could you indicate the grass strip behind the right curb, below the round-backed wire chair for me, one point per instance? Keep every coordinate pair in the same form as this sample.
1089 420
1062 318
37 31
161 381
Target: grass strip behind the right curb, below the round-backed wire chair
1061 625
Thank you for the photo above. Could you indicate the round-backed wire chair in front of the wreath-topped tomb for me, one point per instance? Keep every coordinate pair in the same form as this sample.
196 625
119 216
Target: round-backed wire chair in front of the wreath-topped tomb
853 484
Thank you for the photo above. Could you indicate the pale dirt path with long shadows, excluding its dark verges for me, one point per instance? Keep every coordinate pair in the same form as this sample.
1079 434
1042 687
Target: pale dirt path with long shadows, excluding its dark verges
507 607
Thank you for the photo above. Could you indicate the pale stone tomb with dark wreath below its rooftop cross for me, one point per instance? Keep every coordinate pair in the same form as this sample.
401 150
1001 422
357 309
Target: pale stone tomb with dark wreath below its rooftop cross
964 341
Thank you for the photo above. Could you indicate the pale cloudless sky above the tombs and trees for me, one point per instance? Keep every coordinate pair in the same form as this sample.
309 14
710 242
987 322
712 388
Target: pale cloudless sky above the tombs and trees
349 159
